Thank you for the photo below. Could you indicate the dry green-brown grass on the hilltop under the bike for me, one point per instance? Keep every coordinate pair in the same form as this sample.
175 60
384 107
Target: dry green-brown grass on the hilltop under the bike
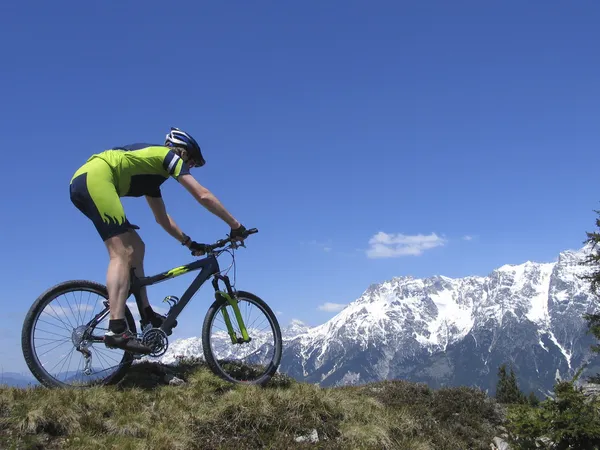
208 413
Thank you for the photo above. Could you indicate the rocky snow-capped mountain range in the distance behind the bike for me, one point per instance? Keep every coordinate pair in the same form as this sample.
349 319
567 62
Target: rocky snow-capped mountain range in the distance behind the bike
446 331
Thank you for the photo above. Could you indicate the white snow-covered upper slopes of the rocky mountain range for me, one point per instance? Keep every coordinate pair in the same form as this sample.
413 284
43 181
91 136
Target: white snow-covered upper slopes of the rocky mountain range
439 310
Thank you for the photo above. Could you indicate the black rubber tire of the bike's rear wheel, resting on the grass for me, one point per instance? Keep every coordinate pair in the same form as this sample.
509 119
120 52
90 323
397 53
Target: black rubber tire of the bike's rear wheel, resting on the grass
30 320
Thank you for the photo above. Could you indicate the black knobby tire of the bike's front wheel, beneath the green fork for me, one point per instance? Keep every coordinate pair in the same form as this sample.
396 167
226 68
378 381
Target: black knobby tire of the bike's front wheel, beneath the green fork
207 348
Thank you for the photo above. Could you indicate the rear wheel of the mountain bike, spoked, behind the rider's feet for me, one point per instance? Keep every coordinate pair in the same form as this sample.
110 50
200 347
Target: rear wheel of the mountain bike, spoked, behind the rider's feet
62 336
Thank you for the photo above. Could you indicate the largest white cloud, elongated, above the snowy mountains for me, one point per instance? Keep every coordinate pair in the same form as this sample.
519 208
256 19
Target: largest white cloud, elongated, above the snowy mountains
384 245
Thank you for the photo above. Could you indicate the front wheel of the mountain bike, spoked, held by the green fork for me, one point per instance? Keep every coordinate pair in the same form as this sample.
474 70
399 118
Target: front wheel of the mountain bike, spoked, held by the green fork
253 362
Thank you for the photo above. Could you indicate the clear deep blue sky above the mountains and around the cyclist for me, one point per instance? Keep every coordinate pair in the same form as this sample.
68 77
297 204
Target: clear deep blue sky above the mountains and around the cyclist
365 140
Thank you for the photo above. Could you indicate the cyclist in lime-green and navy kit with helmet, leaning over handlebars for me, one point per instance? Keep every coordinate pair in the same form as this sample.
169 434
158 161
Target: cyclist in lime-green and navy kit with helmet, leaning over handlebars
133 171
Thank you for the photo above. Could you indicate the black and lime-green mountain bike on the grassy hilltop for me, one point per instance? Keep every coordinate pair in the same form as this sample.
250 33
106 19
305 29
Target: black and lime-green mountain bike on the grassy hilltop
253 355
